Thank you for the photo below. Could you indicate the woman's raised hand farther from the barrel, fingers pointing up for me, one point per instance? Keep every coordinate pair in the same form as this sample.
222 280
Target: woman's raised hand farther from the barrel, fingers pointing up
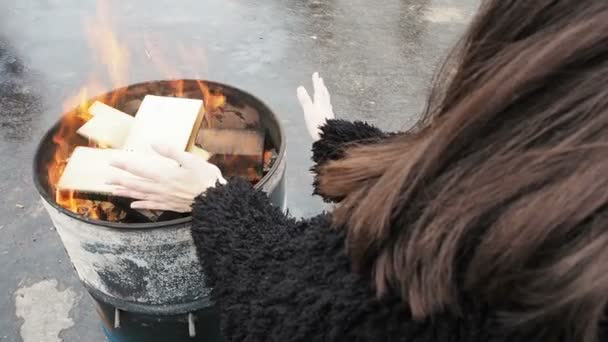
317 110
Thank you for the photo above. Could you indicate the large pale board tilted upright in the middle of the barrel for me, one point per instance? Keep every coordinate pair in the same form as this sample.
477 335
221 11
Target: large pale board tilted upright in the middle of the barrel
167 120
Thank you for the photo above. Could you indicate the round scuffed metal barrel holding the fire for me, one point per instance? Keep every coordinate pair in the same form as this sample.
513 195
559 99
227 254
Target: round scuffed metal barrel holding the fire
145 279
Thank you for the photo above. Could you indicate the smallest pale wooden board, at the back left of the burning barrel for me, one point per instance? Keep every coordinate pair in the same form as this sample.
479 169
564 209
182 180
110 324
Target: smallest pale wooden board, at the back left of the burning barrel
108 128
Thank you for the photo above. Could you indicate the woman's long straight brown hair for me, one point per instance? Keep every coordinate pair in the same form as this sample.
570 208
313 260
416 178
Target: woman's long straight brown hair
501 192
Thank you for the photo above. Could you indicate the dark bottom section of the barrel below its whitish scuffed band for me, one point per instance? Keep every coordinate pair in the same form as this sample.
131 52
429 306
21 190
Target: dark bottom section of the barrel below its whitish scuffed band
123 326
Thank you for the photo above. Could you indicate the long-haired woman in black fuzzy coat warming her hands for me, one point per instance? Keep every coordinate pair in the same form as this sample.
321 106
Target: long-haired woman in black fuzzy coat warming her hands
485 223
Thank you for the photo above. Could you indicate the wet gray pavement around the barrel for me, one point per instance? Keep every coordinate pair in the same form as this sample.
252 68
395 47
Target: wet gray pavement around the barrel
377 57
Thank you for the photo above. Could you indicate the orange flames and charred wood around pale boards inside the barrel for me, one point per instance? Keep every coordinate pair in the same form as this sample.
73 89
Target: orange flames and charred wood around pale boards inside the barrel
232 134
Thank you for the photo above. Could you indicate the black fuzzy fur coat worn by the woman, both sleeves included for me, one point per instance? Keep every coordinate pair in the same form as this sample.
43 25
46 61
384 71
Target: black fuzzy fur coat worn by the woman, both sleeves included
280 279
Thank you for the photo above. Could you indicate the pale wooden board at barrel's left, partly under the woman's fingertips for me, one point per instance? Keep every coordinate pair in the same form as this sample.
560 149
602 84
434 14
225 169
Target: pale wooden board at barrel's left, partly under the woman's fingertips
89 169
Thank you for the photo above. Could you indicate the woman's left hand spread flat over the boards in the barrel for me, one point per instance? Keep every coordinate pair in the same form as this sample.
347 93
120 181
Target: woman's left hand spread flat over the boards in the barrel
168 186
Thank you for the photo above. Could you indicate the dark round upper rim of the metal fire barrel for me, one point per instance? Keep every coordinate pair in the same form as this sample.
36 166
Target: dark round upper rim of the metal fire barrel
277 169
